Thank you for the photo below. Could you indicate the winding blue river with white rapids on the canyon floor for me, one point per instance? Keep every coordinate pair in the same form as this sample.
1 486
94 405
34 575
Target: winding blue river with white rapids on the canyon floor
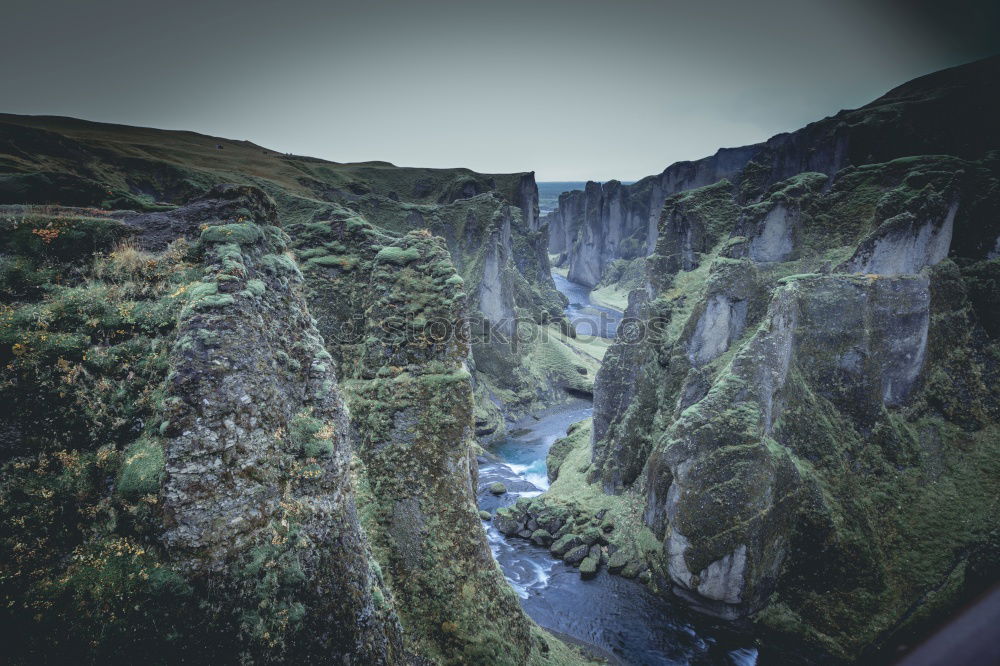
617 618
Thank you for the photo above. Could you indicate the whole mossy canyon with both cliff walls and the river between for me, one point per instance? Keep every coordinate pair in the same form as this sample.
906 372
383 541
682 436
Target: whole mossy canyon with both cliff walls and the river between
267 408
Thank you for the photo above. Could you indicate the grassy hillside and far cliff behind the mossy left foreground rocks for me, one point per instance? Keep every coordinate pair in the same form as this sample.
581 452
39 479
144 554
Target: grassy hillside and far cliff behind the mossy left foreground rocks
490 221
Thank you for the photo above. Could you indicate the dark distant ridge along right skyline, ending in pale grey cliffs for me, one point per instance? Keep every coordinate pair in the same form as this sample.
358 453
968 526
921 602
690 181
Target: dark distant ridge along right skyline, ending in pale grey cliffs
593 227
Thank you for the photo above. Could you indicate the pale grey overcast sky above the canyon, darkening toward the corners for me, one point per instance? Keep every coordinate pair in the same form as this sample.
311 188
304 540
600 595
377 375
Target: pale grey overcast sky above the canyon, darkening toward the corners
570 89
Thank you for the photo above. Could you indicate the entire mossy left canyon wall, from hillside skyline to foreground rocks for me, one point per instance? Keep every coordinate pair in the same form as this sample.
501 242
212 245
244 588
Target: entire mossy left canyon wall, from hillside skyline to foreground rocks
179 457
